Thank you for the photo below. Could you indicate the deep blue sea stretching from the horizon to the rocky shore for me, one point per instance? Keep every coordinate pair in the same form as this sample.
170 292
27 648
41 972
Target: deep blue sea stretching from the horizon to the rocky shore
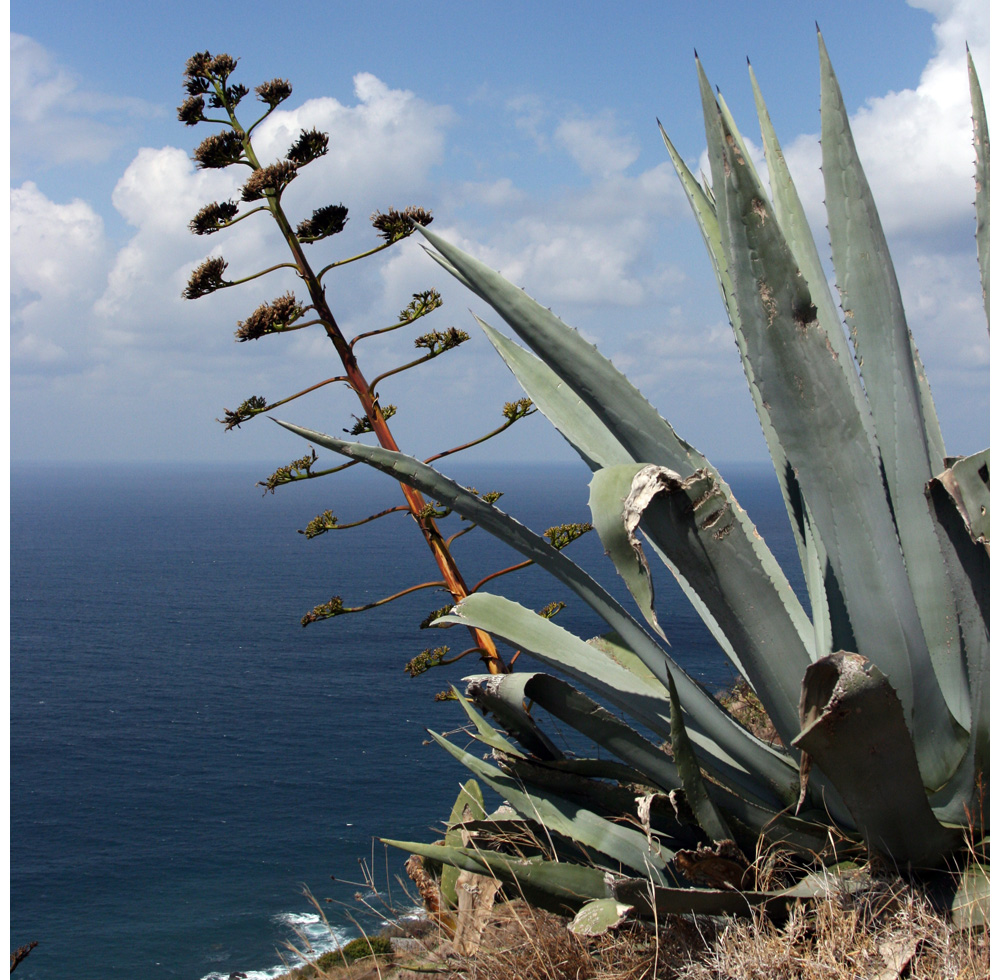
186 759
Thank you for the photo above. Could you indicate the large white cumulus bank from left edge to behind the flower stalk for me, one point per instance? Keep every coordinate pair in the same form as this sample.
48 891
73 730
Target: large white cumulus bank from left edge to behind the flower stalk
111 325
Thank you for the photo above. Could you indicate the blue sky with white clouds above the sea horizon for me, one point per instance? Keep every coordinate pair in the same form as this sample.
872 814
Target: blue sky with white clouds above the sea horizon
529 130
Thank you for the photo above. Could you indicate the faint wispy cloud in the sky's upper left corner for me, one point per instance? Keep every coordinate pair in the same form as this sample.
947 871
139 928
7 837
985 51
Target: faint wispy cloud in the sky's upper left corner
54 119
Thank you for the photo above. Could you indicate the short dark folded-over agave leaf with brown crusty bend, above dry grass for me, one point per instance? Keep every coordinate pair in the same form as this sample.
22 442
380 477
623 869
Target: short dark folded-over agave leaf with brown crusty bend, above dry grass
853 727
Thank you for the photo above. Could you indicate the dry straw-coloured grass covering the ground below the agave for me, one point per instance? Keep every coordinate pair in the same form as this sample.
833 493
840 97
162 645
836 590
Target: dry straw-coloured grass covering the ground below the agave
885 932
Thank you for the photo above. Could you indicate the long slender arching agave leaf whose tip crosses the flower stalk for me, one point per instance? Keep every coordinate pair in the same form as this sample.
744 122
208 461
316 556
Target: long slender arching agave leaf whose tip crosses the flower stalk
705 716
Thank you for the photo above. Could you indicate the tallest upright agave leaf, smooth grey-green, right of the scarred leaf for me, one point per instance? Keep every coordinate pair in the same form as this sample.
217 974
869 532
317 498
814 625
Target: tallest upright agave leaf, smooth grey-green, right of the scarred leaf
905 419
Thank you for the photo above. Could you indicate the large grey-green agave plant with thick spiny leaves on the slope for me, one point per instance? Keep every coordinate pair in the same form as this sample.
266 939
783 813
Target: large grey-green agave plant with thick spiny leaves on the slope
879 692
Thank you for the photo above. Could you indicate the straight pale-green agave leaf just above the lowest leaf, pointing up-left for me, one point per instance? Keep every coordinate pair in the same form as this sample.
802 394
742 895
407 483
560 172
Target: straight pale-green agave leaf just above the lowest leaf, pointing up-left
620 844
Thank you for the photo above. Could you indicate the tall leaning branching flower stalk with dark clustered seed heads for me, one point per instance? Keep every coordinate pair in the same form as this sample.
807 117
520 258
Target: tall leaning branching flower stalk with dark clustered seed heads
207 78
